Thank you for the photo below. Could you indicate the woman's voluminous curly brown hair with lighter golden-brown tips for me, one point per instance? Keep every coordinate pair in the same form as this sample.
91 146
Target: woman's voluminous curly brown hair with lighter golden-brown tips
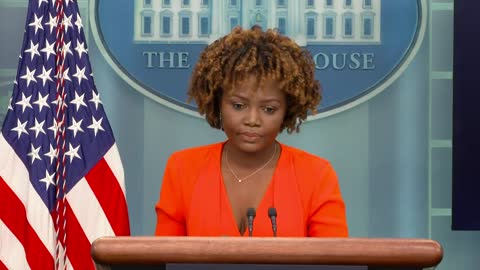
265 54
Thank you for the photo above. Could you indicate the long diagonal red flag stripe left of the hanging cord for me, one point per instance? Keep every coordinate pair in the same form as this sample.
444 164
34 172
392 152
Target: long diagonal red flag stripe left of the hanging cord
14 216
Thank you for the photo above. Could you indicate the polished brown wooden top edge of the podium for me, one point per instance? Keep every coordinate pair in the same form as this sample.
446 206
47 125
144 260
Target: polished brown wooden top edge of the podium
369 253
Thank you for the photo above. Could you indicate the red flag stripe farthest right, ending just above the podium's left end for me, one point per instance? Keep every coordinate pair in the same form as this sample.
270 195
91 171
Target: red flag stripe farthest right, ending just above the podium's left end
109 194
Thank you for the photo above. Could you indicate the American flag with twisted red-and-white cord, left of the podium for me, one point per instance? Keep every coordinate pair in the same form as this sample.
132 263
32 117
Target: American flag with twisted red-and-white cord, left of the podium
61 177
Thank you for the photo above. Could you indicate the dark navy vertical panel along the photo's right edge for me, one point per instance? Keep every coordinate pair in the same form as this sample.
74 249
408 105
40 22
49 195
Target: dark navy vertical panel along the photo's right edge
466 130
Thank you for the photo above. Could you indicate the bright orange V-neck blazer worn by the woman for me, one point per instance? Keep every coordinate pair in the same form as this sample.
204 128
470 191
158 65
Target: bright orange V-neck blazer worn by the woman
304 190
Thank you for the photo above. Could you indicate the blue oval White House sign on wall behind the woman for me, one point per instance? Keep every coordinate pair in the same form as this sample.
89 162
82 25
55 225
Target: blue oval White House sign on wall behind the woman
359 46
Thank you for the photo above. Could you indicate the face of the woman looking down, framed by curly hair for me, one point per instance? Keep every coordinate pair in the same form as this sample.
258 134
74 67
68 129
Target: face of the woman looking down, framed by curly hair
252 117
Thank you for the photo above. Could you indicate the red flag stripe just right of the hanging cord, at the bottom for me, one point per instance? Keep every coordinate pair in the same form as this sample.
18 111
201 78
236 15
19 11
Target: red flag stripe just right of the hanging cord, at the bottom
78 246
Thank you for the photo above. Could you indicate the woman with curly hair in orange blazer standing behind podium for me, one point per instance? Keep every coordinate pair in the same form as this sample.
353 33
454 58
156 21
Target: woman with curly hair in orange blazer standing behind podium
252 85
